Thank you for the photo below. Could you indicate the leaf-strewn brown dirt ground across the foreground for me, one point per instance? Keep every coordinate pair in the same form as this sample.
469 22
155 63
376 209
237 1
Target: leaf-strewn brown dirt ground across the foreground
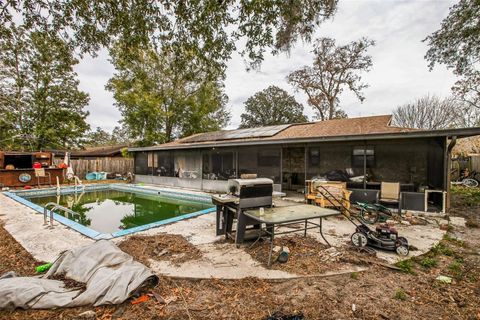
377 293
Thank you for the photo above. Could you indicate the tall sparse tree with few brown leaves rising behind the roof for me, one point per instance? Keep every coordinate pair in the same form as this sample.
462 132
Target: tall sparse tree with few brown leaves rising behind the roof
335 68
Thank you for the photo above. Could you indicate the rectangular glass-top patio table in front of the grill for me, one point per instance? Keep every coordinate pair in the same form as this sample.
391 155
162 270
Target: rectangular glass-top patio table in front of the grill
284 216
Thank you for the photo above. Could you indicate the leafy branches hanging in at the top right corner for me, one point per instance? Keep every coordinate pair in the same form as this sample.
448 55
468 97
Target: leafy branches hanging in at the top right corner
456 45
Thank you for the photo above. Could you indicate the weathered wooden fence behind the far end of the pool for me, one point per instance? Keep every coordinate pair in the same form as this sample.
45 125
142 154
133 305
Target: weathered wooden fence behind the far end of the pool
111 165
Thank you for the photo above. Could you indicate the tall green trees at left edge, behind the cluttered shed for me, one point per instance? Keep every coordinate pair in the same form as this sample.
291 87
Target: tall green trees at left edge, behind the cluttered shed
39 96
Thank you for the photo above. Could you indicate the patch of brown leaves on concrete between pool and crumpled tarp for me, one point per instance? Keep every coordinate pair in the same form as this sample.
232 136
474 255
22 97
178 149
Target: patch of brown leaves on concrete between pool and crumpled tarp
171 247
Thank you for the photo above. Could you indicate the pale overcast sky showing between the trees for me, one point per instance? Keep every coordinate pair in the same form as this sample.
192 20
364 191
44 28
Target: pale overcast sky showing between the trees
399 75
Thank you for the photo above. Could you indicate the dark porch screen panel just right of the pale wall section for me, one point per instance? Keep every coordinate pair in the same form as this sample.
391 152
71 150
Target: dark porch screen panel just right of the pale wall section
219 165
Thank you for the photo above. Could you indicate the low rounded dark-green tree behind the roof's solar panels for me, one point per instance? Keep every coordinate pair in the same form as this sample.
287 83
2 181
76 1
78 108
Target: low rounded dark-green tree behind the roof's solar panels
271 106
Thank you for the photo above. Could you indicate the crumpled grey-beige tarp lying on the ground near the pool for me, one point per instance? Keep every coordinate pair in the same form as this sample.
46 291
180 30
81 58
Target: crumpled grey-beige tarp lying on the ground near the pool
111 276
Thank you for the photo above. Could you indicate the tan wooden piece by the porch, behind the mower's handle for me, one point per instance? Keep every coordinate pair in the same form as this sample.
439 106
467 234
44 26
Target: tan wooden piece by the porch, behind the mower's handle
337 196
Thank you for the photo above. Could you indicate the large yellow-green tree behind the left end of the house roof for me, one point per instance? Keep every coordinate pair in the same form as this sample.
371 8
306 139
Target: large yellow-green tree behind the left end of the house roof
163 95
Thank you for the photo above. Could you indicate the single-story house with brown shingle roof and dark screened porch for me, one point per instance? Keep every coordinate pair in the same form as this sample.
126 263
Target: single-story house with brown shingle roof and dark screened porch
291 154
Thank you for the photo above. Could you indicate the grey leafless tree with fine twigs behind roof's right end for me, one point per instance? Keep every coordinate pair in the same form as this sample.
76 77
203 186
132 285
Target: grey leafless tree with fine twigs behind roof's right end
429 112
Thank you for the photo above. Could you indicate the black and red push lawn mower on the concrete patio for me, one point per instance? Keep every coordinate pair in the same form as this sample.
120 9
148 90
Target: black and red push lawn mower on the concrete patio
383 237
